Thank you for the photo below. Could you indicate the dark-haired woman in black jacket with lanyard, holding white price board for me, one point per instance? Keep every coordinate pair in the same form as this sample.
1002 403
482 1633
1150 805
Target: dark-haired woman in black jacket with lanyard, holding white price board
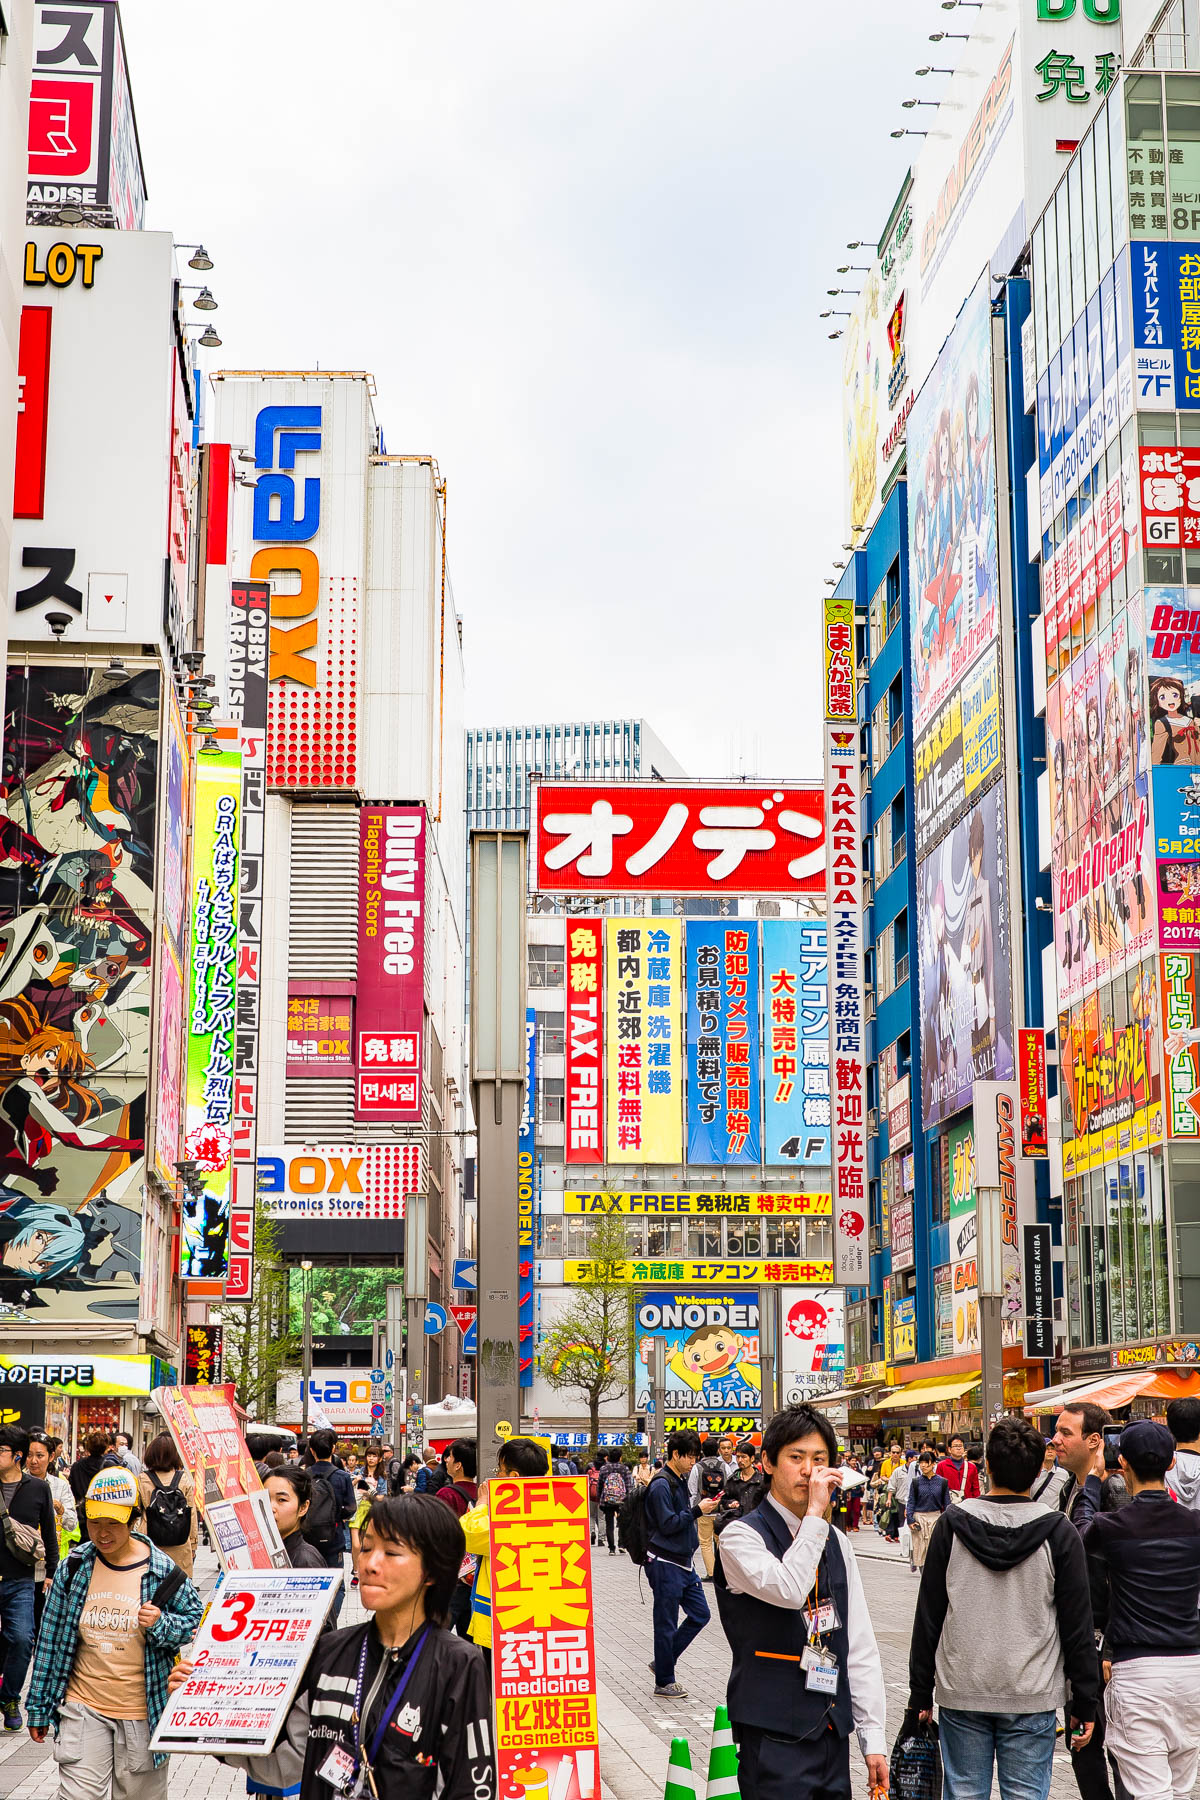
395 1707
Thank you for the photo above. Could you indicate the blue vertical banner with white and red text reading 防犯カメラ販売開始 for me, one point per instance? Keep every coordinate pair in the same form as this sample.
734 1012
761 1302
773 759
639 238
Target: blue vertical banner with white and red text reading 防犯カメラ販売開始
724 1113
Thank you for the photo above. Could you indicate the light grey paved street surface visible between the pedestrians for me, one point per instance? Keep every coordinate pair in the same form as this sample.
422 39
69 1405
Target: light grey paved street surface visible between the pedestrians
636 1729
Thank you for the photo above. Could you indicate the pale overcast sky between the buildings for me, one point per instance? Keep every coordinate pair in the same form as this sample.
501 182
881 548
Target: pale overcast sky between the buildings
582 249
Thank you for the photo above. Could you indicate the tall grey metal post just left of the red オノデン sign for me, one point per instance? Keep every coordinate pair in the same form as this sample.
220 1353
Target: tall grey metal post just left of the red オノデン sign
497 1083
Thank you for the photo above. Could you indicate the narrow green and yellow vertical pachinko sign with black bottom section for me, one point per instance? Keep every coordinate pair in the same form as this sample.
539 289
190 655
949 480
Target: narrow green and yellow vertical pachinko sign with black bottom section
211 1012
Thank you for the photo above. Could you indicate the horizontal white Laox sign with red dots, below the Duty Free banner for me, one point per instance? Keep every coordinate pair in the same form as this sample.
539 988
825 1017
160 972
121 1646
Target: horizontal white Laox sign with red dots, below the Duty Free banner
339 1182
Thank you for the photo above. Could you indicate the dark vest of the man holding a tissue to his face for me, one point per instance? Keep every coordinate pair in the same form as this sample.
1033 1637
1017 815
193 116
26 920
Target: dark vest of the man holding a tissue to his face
767 1684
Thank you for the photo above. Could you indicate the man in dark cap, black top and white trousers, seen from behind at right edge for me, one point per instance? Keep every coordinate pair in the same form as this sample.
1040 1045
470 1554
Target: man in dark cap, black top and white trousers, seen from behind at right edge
1145 1569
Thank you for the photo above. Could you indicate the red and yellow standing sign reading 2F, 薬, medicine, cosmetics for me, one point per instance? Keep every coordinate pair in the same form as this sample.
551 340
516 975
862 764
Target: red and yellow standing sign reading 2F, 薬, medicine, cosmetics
544 1650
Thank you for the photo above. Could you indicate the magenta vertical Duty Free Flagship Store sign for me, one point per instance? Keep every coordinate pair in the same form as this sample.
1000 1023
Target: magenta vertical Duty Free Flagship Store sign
391 962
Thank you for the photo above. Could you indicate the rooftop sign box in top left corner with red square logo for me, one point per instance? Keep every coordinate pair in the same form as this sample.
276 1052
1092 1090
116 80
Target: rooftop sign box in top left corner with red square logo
82 136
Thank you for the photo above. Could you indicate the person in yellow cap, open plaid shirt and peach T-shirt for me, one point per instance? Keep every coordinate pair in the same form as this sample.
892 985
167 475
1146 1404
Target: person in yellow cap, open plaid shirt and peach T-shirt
116 1615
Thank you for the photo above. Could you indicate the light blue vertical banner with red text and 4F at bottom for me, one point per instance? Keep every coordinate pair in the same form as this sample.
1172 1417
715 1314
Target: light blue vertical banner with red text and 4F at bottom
798 1108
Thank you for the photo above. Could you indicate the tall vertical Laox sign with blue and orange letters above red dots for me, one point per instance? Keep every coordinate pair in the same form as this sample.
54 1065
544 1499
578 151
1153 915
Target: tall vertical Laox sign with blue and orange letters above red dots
314 663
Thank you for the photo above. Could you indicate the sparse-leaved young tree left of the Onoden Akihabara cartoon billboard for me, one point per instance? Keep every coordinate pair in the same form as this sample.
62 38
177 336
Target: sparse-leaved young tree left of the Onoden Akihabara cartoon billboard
591 1345
